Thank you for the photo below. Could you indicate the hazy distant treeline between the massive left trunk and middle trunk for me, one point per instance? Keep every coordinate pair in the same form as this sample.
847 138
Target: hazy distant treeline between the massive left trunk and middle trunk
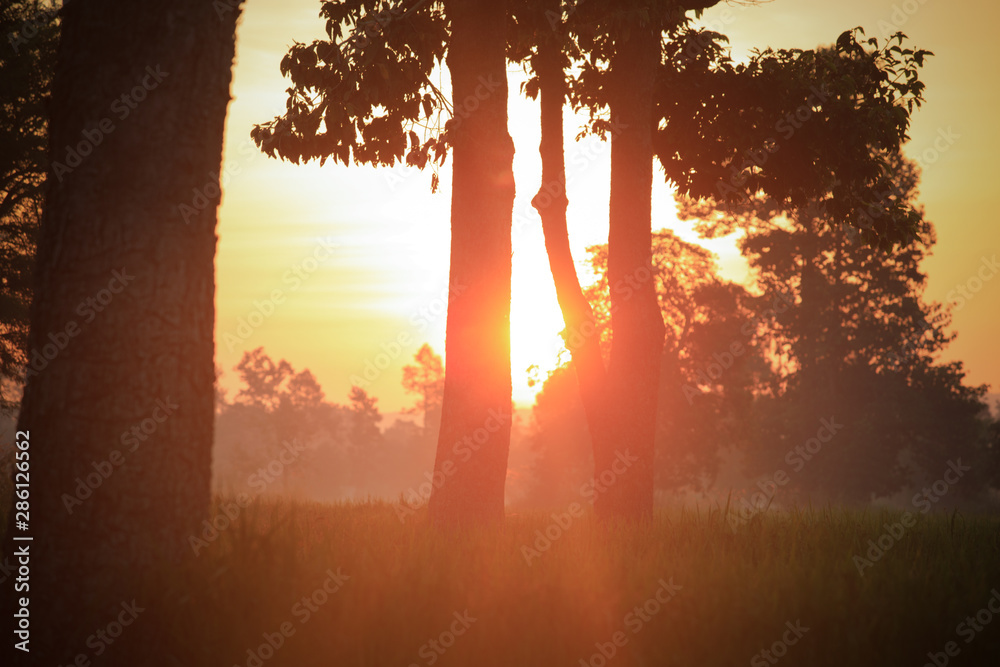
279 435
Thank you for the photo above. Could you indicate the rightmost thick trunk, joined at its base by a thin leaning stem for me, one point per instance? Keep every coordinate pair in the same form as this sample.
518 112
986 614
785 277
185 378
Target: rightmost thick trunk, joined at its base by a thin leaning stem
624 462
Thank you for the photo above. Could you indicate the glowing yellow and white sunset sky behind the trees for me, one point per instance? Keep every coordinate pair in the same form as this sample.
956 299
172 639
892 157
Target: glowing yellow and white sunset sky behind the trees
344 269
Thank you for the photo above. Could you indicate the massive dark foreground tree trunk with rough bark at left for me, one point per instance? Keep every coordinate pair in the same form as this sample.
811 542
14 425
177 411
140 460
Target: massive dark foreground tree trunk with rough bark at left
119 398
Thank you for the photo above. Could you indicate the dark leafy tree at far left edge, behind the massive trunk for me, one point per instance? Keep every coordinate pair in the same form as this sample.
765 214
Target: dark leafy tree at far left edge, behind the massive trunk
31 29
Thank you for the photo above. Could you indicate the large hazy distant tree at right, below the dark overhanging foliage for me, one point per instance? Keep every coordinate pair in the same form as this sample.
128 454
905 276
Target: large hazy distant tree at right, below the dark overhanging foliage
858 344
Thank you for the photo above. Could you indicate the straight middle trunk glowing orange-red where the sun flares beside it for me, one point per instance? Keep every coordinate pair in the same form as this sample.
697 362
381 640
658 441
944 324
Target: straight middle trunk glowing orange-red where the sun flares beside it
471 464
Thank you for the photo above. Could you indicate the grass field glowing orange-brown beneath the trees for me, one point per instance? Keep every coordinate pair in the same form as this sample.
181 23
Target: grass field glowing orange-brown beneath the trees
309 584
